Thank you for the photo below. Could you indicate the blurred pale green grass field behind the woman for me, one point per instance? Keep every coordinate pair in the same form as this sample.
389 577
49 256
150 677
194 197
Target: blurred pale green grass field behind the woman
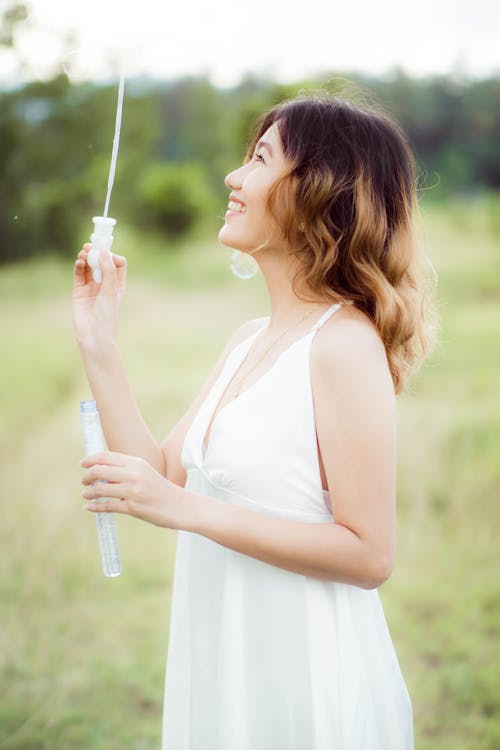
83 657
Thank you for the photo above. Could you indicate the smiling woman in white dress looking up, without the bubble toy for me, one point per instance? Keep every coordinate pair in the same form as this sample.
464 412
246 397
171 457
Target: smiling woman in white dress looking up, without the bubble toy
280 477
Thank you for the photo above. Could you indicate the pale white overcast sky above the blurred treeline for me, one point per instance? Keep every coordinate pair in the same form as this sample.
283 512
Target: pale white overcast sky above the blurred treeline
225 40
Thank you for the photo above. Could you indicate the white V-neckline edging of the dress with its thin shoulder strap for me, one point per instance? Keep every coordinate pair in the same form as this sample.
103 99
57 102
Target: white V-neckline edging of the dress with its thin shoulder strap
213 414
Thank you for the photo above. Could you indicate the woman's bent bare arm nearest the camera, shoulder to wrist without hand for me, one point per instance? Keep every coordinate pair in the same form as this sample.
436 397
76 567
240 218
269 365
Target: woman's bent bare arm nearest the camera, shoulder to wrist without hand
355 417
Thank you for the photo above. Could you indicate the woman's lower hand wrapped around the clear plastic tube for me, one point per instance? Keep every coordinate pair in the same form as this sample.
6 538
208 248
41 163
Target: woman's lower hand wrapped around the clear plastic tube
134 488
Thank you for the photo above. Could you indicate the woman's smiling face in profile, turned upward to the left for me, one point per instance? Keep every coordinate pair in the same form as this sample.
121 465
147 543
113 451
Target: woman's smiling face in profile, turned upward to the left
247 222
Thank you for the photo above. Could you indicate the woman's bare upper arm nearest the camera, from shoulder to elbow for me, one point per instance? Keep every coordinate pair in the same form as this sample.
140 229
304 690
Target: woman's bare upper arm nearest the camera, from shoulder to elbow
356 427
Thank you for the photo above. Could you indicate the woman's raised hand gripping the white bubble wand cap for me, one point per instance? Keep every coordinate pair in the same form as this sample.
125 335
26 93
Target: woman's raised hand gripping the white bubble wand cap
96 306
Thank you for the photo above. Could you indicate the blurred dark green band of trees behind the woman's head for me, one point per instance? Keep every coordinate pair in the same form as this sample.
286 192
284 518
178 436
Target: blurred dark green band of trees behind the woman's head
55 145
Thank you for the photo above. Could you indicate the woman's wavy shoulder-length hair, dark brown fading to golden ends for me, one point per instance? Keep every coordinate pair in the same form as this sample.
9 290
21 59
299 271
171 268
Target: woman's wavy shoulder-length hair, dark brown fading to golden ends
352 182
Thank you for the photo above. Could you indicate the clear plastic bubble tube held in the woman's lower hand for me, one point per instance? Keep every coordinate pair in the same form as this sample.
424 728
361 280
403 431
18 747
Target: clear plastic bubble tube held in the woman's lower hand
106 527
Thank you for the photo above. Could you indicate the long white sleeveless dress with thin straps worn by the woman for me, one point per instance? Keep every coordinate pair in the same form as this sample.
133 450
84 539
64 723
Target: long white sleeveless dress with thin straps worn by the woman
261 658
